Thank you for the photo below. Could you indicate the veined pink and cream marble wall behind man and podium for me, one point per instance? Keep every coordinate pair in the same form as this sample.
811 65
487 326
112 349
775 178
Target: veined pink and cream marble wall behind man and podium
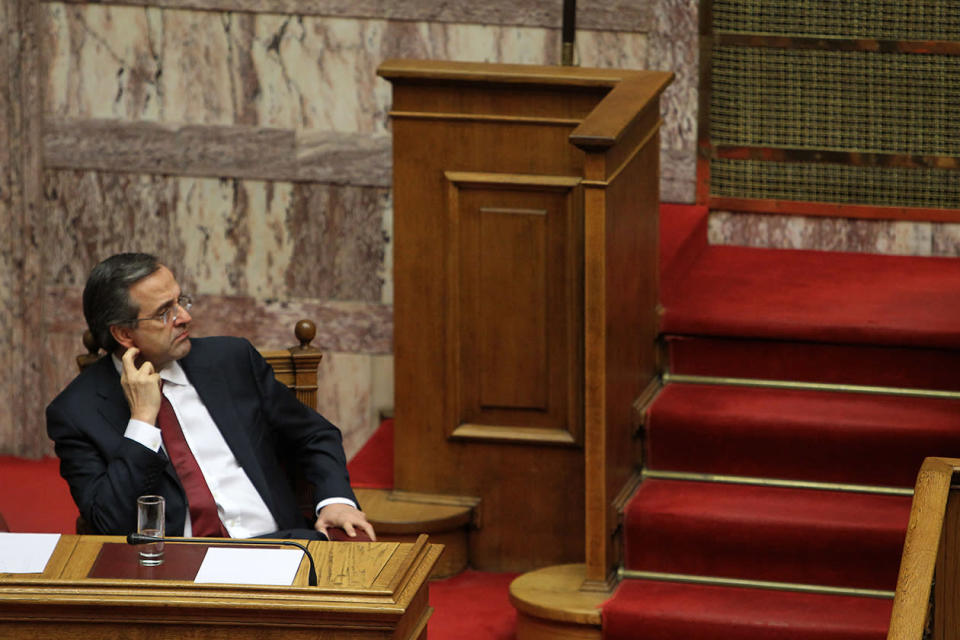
258 252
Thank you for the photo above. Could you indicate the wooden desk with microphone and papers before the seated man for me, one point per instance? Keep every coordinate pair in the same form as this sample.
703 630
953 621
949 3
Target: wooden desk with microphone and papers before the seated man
366 590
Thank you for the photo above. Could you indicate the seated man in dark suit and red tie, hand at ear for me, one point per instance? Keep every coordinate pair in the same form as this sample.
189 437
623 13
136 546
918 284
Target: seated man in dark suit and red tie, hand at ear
202 422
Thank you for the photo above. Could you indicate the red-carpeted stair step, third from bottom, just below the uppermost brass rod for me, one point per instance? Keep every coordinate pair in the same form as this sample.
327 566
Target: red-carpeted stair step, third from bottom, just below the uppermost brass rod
803 435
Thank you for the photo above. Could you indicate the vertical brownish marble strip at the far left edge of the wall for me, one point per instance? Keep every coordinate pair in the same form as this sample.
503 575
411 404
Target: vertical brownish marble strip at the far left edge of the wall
21 229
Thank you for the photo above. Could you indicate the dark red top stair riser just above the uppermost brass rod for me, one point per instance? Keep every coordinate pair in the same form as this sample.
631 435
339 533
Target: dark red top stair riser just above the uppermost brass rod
885 366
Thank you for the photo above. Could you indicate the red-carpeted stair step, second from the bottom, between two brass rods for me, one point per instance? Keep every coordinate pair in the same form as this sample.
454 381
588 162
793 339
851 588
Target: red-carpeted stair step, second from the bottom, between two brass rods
766 533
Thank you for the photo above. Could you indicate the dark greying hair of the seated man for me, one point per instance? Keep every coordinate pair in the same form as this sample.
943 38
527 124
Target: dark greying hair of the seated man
106 296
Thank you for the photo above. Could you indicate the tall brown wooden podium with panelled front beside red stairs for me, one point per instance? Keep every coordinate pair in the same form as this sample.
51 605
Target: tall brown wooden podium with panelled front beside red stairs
525 285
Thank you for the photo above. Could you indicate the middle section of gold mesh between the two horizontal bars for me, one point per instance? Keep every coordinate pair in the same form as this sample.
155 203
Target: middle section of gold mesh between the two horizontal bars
836 100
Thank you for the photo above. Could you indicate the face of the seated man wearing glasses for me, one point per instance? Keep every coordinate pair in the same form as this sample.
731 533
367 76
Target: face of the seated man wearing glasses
159 343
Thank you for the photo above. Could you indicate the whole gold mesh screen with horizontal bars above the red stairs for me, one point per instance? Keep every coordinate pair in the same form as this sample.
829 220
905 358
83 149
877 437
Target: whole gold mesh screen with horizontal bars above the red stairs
817 96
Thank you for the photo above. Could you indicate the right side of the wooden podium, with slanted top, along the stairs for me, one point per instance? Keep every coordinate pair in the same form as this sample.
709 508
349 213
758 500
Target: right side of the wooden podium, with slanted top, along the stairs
621 143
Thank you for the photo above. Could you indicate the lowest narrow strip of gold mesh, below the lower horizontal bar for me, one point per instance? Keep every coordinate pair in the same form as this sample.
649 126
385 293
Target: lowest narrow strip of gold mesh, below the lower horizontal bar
820 182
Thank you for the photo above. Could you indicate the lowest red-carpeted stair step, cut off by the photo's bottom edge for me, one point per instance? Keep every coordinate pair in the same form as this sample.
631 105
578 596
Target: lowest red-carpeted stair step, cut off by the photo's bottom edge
657 610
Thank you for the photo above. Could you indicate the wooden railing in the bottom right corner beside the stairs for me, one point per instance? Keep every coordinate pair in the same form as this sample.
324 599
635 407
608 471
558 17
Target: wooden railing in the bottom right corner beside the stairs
927 596
